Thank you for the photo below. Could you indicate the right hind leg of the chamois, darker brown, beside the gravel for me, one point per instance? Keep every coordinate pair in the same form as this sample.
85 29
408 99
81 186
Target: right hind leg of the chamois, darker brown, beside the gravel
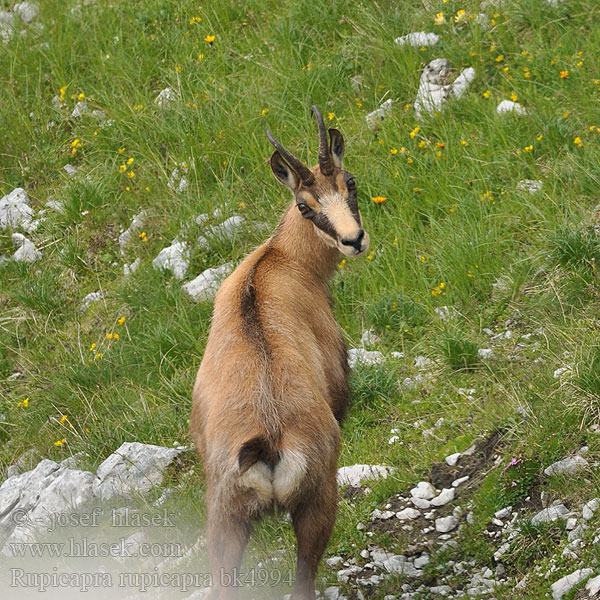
313 519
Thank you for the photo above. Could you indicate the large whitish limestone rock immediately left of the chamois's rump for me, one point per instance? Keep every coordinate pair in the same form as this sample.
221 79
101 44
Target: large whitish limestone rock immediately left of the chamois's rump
133 468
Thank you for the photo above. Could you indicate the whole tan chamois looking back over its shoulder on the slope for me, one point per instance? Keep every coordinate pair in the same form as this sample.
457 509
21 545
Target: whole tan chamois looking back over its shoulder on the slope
272 388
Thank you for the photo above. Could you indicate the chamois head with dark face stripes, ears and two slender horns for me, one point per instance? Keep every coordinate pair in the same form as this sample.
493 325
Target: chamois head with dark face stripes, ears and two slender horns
325 194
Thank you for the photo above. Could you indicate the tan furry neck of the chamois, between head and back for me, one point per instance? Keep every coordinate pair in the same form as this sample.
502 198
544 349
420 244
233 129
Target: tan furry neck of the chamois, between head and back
297 238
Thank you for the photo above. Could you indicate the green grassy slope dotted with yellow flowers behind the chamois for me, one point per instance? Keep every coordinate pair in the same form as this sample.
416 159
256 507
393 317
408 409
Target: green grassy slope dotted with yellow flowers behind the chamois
453 231
